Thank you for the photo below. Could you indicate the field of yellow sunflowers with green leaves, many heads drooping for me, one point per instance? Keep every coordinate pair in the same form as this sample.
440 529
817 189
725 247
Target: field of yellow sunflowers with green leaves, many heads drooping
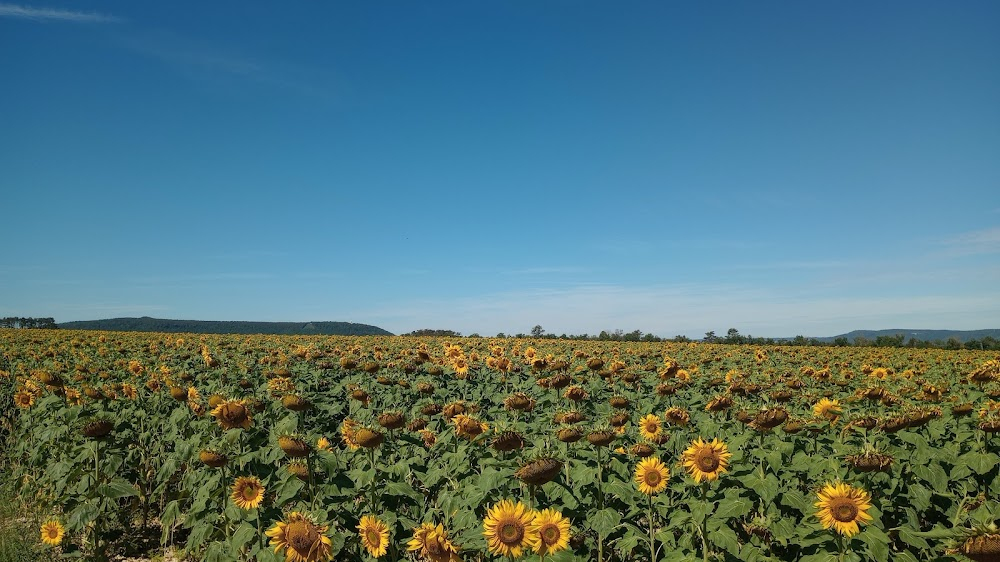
237 448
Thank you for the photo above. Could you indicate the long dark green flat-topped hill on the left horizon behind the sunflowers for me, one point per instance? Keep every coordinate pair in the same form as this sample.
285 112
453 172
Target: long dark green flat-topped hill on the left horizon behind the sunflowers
147 324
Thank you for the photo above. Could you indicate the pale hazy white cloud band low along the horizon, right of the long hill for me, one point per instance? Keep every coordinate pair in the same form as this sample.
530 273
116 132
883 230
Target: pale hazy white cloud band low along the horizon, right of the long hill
685 309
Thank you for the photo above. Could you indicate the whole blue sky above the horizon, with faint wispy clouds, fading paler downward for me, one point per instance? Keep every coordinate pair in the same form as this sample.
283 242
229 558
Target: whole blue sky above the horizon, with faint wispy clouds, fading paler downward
779 167
